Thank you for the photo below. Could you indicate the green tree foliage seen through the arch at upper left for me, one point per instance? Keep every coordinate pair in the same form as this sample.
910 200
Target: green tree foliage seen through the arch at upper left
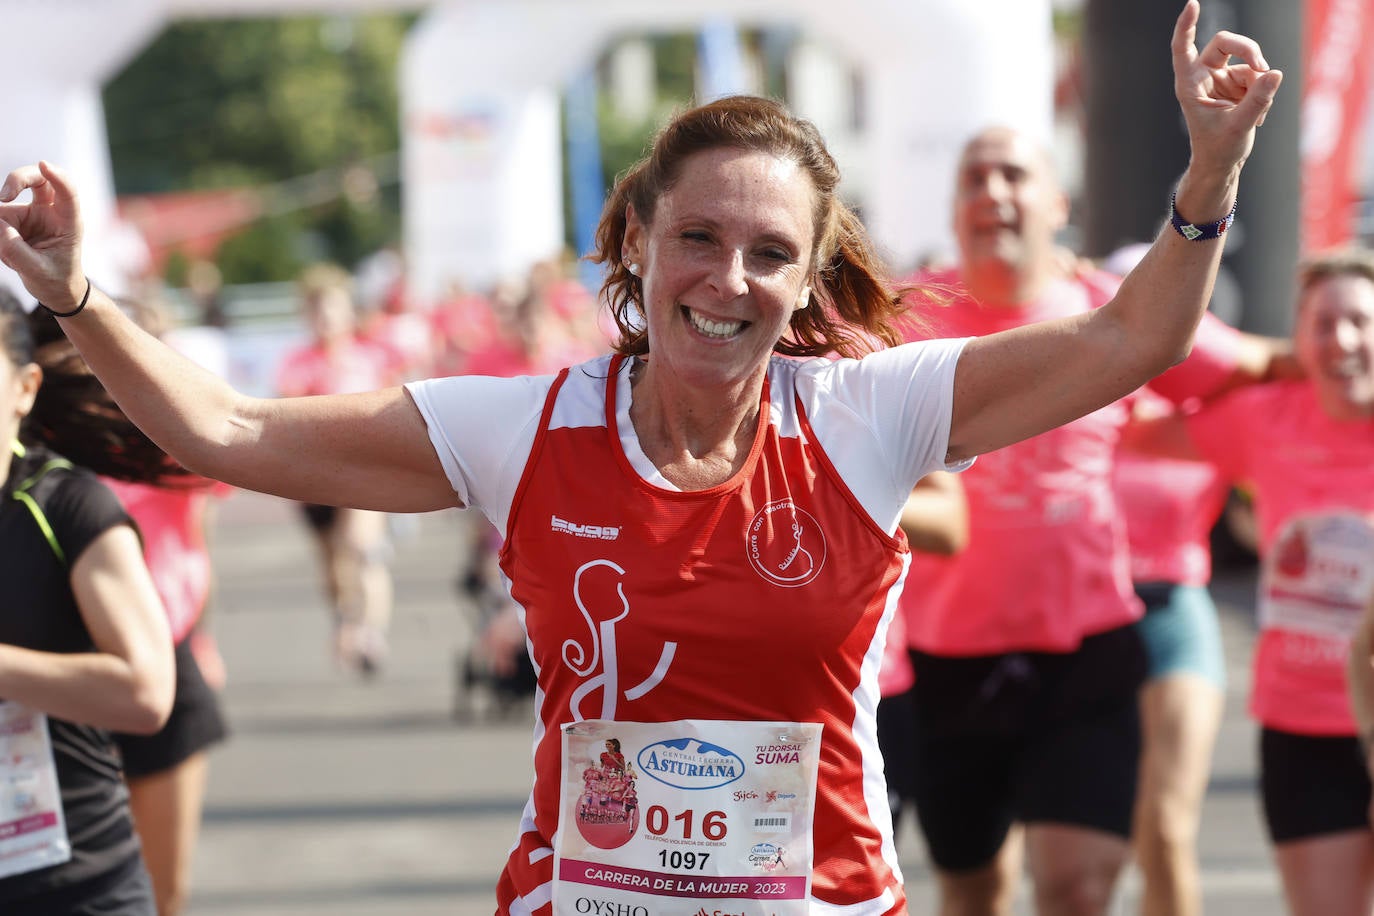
264 104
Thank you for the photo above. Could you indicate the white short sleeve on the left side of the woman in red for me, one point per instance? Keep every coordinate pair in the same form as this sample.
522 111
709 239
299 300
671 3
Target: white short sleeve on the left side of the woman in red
483 431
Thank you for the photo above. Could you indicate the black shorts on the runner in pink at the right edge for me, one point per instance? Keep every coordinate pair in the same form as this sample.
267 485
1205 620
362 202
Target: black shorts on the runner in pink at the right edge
1313 786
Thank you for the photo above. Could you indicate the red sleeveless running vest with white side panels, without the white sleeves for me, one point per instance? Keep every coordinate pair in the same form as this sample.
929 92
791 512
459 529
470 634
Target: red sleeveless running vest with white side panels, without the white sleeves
758 599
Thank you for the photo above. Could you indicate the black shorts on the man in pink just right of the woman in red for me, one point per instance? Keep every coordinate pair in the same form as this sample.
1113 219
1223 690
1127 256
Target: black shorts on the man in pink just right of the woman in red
1026 737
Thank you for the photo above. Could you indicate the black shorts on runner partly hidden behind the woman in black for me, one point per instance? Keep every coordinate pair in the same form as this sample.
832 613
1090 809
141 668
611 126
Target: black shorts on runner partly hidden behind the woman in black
196 724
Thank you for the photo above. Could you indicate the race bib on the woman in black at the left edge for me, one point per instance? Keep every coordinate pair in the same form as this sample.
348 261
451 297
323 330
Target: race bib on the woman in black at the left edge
34 833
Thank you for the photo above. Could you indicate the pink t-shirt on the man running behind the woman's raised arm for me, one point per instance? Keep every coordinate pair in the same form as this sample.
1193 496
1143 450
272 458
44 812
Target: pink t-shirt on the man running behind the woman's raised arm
1048 562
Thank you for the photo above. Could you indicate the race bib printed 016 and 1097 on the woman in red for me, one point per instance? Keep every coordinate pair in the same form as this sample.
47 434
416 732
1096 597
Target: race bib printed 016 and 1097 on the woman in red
717 816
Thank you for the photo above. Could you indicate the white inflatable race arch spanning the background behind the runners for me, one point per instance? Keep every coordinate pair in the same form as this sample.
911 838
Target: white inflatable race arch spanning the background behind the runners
480 89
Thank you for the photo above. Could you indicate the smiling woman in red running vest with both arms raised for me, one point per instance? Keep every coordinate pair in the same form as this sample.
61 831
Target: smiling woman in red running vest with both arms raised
704 536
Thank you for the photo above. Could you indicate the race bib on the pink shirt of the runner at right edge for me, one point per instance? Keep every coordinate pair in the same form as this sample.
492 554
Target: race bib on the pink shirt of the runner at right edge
1318 576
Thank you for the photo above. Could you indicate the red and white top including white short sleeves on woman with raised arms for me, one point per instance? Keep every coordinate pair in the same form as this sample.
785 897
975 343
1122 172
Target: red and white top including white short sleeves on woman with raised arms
763 599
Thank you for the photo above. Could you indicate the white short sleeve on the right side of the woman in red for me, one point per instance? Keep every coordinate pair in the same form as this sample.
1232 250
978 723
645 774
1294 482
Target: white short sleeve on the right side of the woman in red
884 421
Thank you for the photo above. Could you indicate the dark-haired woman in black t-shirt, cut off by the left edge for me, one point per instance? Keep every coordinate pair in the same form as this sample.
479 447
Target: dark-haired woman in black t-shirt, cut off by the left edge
85 649
